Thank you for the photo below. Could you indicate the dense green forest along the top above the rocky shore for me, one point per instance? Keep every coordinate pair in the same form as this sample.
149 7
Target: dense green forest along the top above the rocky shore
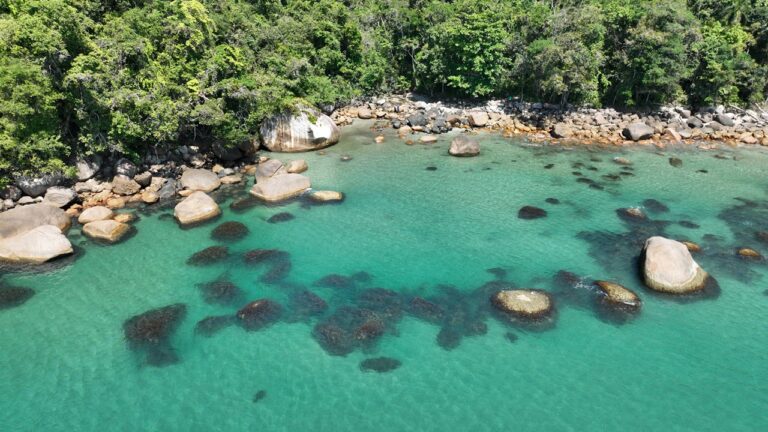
79 77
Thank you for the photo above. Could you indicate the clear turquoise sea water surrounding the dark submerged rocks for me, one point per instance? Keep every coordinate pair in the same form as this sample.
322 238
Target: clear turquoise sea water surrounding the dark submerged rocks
679 365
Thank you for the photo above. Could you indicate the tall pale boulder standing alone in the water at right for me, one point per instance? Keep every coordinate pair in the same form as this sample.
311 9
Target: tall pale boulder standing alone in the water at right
669 267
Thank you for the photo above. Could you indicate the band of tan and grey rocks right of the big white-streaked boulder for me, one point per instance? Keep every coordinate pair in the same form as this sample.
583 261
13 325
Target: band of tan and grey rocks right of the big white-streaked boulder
545 121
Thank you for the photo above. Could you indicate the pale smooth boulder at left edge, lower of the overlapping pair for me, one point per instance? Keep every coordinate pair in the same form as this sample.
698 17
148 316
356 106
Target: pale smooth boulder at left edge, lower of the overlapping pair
35 246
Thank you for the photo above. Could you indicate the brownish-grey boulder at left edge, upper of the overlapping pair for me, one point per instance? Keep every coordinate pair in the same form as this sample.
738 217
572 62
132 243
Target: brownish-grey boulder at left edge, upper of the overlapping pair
25 218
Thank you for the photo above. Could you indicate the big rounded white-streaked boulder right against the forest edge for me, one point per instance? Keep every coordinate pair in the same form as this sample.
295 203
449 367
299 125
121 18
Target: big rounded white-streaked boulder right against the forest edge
306 130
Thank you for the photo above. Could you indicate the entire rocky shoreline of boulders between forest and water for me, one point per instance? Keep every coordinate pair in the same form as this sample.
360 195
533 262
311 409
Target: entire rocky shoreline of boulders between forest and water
197 170
